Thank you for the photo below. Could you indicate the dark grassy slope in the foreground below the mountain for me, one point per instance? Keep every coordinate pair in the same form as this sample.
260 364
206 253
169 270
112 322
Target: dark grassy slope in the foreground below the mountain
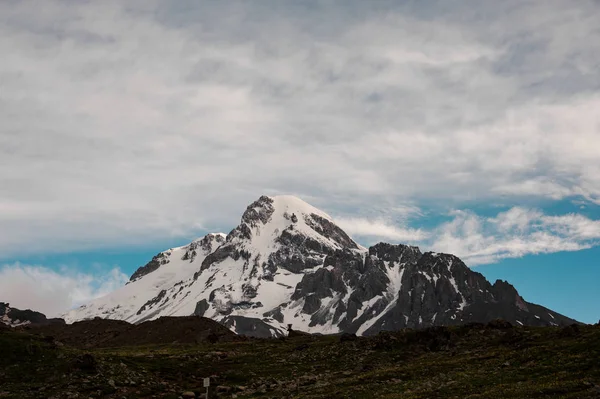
476 361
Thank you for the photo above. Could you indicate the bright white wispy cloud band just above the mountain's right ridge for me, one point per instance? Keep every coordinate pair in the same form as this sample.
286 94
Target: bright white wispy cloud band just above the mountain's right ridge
478 239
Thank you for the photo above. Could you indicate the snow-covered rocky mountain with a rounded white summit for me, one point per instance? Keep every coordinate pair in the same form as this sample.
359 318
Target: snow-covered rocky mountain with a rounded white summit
289 263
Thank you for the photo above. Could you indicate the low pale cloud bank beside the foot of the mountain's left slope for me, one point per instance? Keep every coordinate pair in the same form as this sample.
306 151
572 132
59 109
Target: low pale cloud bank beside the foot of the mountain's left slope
52 292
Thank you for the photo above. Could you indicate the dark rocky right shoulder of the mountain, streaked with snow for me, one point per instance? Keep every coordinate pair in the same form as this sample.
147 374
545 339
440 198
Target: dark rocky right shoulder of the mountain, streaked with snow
429 290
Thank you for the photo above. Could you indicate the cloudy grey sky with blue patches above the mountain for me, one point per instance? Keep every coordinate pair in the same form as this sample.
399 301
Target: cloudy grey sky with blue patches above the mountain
465 127
